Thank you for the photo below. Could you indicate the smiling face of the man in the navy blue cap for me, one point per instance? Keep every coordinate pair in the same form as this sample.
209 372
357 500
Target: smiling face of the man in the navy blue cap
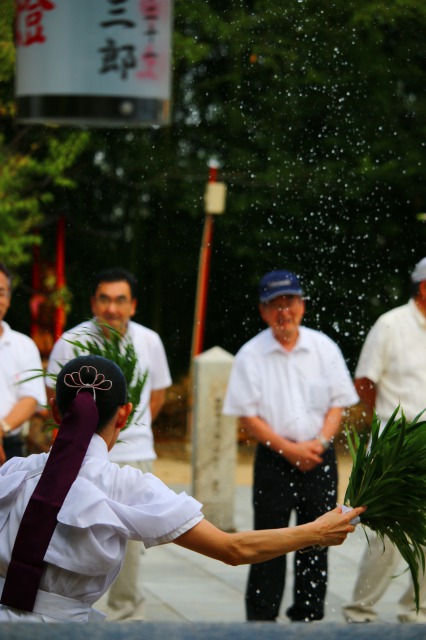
284 315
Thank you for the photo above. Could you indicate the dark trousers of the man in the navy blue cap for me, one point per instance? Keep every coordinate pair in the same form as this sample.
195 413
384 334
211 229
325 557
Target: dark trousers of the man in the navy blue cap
279 488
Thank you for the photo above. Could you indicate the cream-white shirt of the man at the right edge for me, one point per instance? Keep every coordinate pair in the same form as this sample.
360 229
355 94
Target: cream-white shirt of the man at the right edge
394 358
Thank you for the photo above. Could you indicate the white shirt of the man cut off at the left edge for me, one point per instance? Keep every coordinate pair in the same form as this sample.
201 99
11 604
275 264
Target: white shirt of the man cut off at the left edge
19 360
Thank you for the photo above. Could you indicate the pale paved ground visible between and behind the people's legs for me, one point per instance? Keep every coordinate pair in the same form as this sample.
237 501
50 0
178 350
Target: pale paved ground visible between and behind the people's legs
182 586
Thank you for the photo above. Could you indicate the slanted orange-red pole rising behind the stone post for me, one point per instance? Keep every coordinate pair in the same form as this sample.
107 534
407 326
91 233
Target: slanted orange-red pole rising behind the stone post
203 277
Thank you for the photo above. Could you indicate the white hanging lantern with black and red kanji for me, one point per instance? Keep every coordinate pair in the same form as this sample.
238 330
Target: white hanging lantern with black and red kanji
93 62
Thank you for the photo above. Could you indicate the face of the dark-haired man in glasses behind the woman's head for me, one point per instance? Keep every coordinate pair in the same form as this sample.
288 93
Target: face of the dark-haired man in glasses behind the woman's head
113 304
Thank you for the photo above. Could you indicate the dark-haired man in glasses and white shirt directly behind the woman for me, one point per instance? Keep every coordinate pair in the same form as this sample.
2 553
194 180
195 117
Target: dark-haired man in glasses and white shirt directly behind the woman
114 302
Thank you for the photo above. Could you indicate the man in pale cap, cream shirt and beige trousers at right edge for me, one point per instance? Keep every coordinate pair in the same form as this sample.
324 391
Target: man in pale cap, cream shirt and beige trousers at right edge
391 371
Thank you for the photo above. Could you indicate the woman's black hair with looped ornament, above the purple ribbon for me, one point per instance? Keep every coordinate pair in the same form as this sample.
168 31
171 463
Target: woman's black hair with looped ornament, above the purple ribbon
96 375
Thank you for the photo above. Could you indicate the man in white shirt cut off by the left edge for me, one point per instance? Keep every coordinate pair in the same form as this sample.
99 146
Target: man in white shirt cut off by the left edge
19 396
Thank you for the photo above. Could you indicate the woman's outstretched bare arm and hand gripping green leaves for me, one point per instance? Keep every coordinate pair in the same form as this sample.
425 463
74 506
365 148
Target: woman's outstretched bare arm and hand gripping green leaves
250 547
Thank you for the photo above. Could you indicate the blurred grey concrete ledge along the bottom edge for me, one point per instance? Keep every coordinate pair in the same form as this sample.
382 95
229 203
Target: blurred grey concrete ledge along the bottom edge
209 631
